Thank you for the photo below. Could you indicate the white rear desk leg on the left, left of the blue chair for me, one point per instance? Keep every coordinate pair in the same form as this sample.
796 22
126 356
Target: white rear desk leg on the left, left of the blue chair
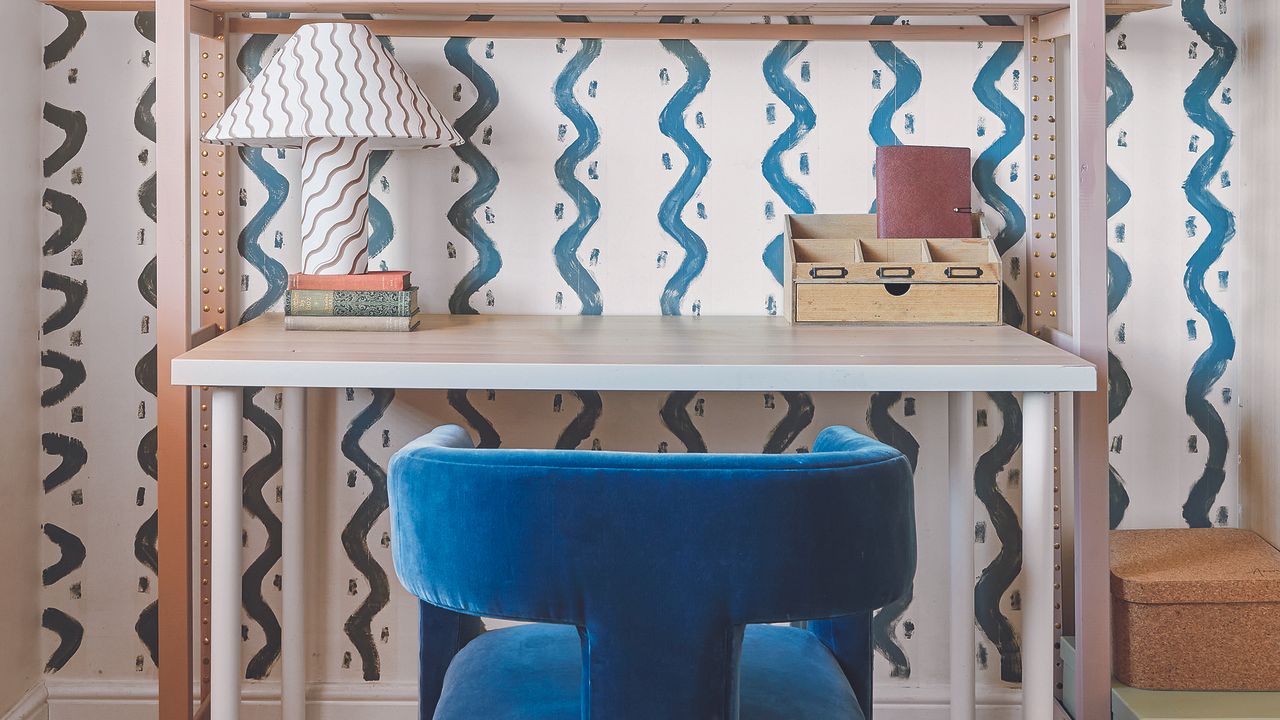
294 580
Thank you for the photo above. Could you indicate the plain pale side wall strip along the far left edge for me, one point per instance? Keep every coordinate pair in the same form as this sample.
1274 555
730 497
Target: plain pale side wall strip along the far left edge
20 195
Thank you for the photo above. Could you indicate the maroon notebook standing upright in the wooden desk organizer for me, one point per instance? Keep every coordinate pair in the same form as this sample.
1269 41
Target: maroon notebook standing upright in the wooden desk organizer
922 192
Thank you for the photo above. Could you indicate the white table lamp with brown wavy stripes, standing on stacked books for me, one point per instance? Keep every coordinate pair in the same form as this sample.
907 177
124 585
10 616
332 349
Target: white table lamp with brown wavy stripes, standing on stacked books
335 92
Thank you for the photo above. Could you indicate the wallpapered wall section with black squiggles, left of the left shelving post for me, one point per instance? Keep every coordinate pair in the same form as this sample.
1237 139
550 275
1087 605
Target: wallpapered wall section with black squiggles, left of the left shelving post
97 347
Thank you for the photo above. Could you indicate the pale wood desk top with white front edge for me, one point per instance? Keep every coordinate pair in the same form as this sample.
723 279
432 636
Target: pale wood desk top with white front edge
620 353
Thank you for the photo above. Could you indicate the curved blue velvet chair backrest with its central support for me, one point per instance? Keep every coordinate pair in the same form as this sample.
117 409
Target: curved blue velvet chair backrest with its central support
655 555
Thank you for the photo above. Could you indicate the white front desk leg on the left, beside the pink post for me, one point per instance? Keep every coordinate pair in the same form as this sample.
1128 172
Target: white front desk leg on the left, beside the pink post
227 498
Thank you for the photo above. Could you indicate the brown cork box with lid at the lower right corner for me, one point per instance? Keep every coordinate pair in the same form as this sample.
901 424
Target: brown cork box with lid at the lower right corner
1196 610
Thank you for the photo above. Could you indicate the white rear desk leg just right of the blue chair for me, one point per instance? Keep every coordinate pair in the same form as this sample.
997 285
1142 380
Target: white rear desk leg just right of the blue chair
961 421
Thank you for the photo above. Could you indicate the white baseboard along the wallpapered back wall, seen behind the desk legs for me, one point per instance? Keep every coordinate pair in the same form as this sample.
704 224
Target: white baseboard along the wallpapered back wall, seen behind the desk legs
134 700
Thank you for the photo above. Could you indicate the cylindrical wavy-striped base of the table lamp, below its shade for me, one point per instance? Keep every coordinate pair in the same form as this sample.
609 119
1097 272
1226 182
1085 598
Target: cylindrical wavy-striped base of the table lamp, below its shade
335 206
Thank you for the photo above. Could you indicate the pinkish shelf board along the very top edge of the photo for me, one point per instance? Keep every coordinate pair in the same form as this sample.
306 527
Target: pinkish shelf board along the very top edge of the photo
652 8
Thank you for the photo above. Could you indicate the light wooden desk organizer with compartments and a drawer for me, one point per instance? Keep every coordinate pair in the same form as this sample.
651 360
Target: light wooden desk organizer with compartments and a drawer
839 272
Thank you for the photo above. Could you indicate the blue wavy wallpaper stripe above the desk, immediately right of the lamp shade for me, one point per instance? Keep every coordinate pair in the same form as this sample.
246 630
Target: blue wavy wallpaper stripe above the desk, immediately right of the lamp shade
463 215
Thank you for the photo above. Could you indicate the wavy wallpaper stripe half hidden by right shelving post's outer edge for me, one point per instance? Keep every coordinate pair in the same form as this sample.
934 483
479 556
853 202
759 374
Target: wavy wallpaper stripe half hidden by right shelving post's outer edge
1119 279
